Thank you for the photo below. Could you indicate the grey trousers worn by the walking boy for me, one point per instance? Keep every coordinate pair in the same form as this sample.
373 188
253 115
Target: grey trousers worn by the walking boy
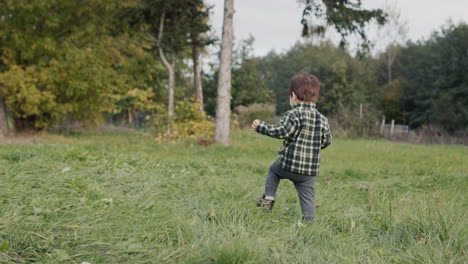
305 187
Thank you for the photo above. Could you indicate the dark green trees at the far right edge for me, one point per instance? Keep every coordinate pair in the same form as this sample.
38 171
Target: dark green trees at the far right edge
435 80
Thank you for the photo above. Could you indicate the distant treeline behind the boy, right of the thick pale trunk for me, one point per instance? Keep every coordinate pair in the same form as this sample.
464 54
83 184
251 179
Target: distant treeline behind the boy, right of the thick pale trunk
428 84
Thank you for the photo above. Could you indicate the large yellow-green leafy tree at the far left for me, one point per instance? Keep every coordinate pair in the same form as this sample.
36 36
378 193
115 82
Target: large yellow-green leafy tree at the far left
48 62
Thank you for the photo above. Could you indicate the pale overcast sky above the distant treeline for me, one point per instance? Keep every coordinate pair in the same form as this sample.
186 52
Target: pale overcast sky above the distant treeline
275 24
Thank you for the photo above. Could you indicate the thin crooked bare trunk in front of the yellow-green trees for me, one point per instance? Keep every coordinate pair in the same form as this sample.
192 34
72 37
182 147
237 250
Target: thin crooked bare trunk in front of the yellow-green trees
170 68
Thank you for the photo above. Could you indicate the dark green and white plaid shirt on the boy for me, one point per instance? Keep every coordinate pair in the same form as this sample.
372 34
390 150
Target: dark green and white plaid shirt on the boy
305 132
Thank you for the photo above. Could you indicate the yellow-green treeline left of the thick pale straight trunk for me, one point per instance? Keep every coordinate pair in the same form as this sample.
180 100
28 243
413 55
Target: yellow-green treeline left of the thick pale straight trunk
84 60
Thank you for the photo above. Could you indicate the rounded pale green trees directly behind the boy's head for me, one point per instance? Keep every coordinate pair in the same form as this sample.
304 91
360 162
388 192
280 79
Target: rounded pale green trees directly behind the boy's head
344 80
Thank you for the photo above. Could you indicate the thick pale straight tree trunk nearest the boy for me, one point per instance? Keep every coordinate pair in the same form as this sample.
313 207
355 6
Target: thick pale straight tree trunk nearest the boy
223 105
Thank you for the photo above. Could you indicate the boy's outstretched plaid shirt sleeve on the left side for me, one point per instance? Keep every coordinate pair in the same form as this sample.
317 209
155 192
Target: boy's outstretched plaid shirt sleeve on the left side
285 128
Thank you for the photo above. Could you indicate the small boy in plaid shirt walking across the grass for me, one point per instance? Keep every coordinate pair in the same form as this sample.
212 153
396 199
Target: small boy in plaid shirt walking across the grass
305 132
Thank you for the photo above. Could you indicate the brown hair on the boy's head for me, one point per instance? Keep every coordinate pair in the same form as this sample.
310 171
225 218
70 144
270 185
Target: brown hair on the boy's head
306 87
